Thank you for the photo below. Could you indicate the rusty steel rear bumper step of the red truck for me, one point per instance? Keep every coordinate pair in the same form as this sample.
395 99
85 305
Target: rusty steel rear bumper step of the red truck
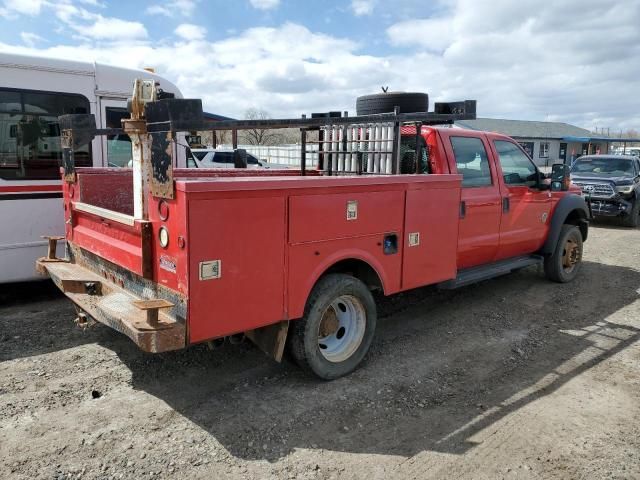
144 321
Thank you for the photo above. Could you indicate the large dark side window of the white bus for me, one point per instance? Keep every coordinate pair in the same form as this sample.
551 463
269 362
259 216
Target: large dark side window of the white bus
29 134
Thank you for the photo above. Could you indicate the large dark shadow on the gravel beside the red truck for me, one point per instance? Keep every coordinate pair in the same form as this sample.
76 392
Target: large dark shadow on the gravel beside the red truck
445 366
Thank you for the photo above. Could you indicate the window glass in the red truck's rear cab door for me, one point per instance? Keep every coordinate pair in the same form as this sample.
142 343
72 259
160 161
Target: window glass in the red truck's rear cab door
471 161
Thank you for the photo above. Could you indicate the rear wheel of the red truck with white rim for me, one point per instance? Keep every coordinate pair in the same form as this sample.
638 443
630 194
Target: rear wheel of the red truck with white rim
337 328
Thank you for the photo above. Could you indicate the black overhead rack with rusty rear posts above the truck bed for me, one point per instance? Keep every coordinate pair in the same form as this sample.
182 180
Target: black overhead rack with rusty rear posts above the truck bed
360 145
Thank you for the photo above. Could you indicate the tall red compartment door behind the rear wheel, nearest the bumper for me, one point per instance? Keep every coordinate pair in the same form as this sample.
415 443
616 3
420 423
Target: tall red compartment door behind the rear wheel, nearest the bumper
236 265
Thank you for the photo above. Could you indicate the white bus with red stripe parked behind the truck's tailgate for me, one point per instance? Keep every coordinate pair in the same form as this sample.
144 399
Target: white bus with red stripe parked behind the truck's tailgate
34 91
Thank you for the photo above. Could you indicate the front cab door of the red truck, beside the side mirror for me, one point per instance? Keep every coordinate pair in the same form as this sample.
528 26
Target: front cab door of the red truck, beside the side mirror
525 208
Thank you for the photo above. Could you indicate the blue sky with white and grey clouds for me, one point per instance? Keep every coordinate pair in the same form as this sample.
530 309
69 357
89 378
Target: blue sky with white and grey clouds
568 60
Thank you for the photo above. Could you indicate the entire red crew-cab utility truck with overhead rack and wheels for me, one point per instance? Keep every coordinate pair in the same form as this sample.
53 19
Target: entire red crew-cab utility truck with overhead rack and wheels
290 258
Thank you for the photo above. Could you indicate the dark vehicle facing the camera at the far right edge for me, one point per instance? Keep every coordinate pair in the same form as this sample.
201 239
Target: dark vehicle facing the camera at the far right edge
613 184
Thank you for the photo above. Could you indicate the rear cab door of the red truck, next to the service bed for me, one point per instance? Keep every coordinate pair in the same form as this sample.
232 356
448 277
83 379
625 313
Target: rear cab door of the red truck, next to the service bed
480 207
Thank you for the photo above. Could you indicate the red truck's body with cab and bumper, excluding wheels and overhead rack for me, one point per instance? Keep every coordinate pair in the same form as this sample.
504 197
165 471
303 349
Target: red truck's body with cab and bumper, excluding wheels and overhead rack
239 251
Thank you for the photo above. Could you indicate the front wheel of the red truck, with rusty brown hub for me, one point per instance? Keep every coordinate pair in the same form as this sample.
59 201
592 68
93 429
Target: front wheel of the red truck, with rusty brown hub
563 265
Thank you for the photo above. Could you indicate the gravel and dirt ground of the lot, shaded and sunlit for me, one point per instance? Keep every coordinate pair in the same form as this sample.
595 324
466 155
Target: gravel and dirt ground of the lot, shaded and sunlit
513 378
